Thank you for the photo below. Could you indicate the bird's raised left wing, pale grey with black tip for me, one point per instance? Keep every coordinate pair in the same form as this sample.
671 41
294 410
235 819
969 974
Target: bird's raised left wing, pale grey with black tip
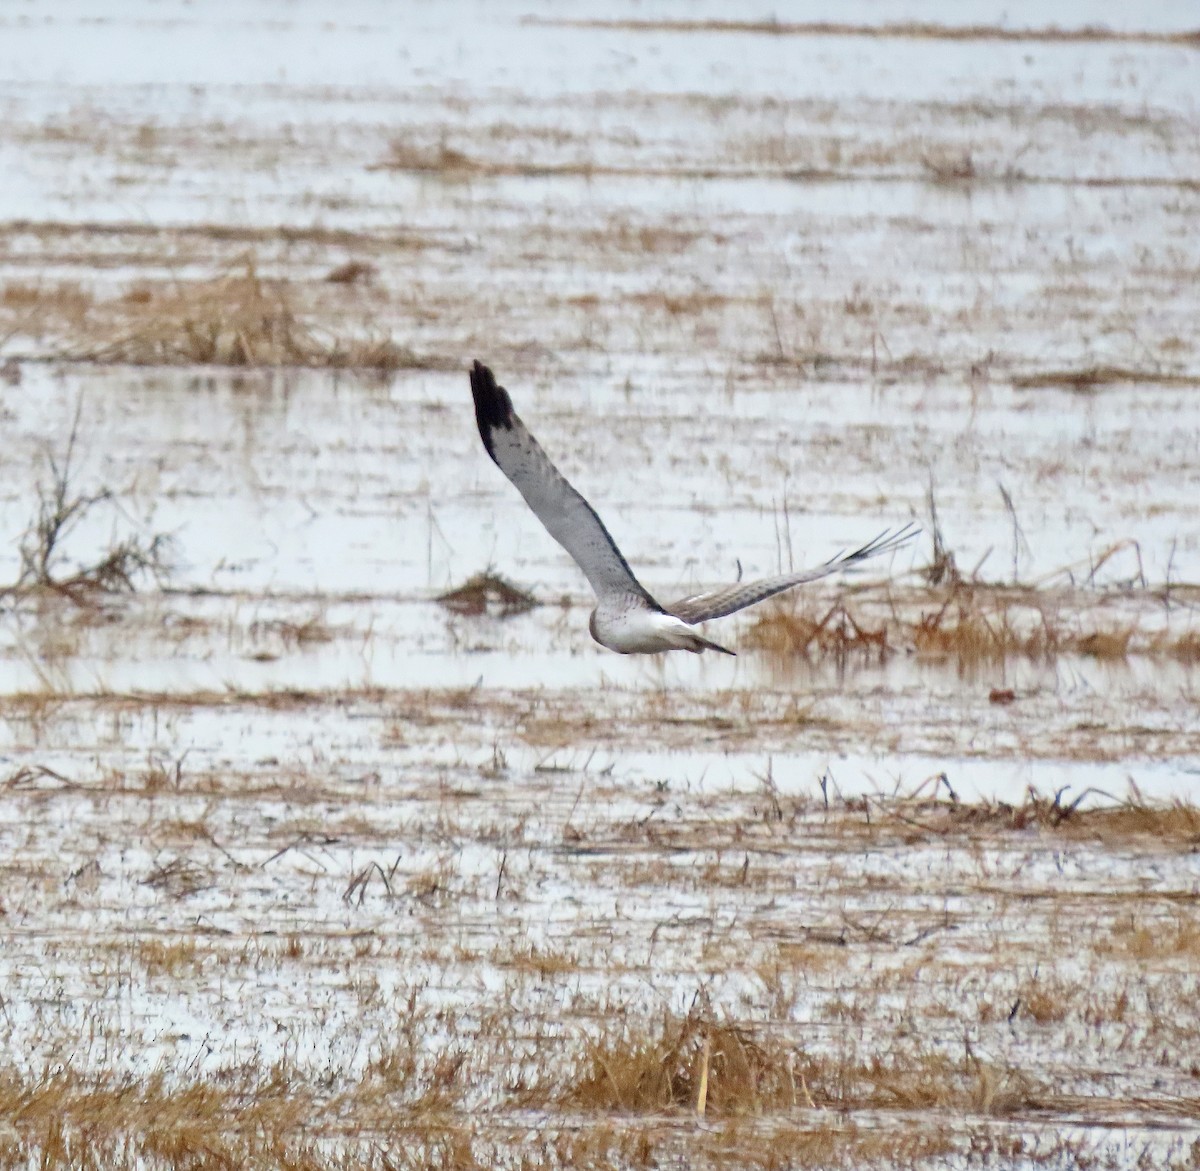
568 518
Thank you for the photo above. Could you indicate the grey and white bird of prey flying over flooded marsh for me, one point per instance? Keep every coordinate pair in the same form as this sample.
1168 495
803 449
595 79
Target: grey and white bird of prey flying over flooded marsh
627 618
